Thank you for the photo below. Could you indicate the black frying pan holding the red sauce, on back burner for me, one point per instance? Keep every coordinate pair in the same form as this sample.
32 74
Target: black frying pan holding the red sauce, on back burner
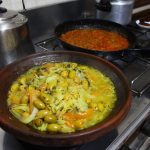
98 24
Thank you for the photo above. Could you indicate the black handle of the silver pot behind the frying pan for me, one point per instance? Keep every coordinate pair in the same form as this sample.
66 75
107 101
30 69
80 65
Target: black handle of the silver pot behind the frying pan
104 5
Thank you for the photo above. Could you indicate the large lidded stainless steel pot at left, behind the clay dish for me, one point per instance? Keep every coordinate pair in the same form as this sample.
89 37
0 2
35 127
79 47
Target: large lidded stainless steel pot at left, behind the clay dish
15 41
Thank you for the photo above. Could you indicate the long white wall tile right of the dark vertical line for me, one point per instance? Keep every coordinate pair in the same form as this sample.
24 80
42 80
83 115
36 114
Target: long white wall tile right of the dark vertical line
31 4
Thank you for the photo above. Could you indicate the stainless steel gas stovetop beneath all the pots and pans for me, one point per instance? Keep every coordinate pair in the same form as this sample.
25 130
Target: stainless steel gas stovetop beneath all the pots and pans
136 67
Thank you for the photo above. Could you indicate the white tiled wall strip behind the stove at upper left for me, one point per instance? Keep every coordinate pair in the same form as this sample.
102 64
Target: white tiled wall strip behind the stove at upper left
29 4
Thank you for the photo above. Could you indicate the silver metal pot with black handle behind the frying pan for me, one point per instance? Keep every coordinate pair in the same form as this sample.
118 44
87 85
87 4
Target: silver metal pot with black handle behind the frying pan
119 11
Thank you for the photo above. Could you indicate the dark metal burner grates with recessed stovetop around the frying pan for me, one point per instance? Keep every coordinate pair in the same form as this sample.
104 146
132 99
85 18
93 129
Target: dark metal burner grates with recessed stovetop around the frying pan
136 65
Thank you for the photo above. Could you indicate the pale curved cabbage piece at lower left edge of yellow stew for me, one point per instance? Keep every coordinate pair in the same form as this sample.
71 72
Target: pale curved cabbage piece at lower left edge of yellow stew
17 109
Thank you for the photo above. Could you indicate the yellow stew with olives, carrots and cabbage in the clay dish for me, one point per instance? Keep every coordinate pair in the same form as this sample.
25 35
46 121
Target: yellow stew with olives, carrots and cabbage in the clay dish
61 97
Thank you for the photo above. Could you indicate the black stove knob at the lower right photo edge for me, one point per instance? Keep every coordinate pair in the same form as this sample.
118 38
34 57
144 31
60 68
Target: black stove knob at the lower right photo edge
146 127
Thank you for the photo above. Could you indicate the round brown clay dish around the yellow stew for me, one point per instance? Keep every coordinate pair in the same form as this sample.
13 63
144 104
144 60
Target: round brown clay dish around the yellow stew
28 134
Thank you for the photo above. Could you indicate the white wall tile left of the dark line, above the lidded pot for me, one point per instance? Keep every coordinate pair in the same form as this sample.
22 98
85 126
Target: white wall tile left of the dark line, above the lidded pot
13 5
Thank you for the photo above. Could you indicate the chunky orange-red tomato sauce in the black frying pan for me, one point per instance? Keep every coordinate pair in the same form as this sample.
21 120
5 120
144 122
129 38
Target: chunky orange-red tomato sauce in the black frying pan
95 39
